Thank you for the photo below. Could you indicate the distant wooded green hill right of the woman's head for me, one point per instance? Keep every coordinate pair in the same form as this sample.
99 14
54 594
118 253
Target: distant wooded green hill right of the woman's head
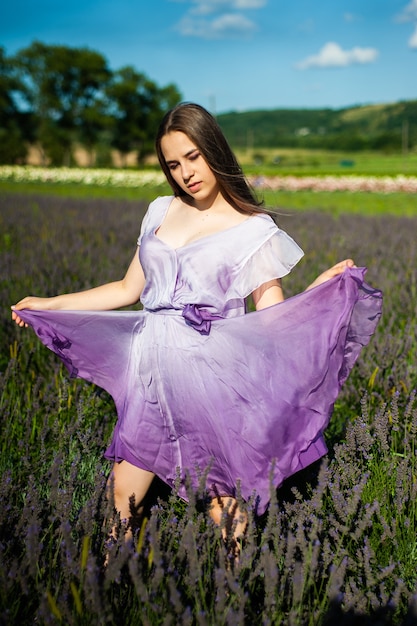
383 127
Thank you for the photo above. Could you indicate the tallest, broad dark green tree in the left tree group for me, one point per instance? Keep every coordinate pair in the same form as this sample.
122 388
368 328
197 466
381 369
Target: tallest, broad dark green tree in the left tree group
65 91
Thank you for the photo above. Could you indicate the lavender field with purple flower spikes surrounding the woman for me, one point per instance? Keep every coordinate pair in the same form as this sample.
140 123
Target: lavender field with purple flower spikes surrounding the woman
338 544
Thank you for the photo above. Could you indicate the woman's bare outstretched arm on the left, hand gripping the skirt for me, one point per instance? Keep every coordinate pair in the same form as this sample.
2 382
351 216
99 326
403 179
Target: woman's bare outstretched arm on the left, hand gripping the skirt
104 298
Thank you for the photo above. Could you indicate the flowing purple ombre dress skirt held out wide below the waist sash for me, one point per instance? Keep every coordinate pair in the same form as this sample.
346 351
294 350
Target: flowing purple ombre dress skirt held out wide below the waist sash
253 395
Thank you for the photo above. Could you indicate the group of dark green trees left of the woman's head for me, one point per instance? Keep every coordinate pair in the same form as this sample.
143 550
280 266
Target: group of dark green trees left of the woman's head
58 97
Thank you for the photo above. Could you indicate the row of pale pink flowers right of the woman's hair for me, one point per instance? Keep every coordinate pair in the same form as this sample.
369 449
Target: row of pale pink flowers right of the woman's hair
375 184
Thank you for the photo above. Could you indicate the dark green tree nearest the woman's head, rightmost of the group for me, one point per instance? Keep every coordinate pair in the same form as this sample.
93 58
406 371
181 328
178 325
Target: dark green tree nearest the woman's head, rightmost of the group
136 105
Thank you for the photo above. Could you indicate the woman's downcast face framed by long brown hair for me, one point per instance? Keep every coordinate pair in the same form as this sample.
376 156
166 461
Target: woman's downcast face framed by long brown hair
189 169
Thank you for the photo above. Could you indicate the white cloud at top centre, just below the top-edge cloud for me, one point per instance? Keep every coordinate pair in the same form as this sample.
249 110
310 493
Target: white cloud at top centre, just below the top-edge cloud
225 26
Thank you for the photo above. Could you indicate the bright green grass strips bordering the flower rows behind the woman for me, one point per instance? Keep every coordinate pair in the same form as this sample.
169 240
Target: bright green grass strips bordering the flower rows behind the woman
292 163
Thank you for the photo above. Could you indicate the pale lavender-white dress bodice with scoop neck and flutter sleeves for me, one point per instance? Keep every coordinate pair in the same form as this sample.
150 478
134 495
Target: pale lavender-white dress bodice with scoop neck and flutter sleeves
217 271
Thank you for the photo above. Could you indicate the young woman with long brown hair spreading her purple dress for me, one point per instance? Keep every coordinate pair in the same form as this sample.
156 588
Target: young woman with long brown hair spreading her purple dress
200 386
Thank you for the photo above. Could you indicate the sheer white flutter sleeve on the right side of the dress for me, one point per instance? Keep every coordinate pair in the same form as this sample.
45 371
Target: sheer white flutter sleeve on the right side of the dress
274 258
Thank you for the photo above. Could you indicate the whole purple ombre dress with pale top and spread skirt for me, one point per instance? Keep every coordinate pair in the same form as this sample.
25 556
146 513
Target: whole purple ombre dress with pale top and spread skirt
200 384
